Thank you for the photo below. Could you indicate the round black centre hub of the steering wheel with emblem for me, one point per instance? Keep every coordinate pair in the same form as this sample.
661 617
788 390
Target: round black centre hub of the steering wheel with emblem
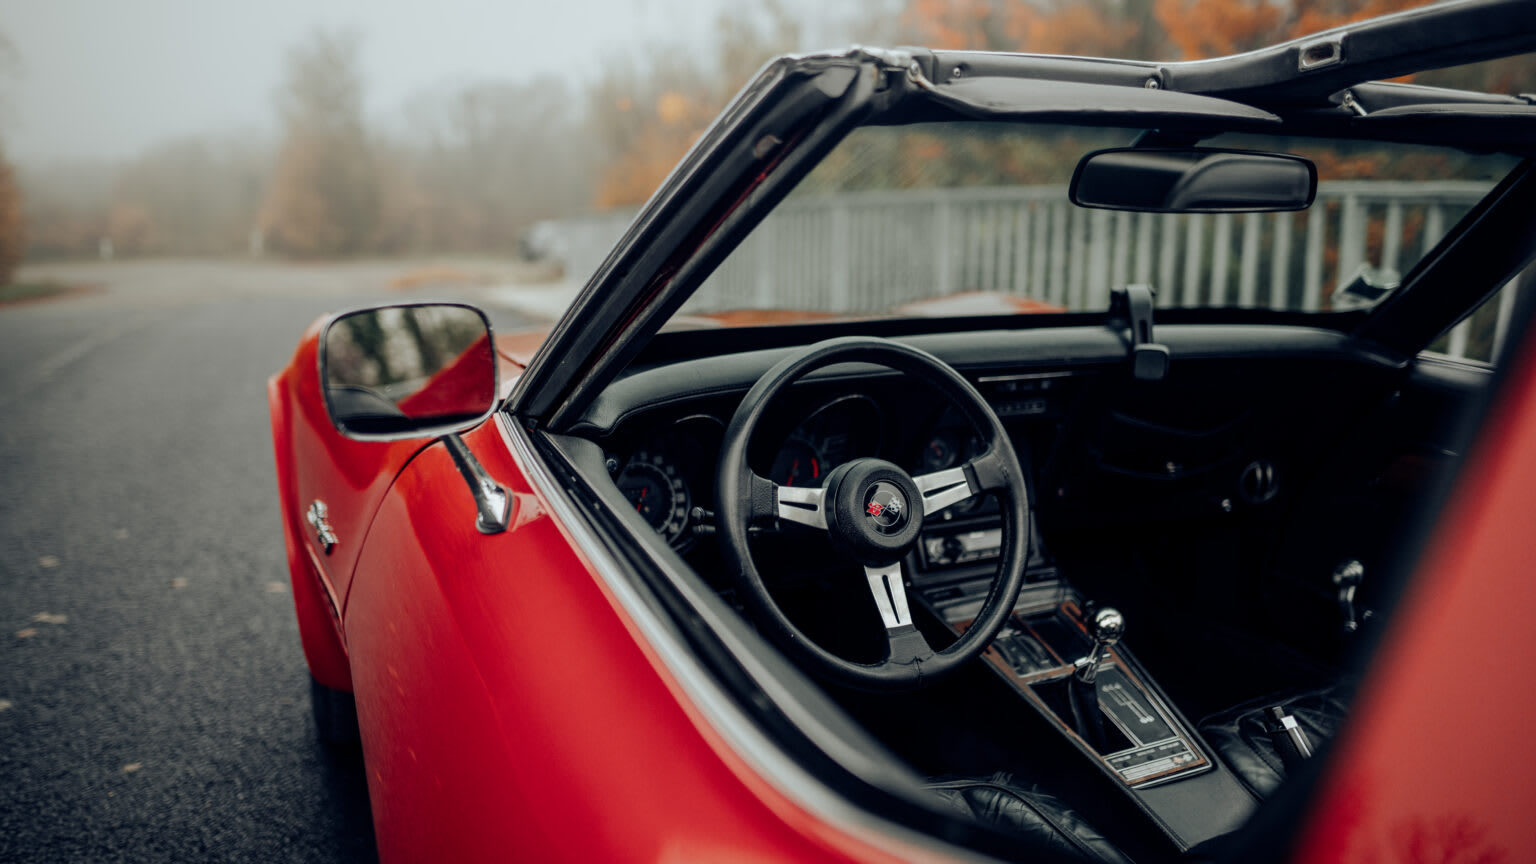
875 511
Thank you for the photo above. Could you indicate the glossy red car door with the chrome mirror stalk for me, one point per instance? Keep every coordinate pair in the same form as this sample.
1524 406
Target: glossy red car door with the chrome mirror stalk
511 711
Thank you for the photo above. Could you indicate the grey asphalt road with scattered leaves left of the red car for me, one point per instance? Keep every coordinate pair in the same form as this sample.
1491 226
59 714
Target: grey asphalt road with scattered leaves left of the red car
154 700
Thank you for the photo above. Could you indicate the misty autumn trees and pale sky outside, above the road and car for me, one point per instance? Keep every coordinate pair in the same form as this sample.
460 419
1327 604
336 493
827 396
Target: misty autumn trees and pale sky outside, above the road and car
348 130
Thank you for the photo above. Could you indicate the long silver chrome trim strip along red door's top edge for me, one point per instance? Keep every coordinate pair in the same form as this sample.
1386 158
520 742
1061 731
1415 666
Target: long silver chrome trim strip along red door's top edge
718 709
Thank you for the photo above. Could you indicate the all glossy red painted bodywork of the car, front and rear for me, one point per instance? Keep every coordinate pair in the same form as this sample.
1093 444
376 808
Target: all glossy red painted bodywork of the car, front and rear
601 756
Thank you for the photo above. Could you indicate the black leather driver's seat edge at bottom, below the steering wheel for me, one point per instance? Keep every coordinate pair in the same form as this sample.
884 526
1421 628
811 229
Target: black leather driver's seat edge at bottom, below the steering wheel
1028 812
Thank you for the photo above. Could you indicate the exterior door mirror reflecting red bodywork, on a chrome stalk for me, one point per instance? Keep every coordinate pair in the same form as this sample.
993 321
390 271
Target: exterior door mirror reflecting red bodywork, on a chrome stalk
408 371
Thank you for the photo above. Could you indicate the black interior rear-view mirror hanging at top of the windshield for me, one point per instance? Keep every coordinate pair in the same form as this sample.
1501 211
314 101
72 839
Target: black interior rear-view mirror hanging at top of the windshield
1194 181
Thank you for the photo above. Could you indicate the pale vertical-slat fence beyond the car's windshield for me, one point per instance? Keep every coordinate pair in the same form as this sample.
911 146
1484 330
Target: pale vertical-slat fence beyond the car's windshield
873 251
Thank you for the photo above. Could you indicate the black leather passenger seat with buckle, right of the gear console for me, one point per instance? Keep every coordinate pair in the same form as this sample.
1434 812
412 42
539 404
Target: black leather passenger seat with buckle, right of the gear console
1242 739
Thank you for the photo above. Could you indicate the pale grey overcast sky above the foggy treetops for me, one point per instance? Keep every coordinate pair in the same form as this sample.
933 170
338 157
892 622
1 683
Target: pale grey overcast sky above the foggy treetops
111 78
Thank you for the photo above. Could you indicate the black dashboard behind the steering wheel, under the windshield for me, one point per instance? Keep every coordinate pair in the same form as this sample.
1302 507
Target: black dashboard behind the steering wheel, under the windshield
1107 456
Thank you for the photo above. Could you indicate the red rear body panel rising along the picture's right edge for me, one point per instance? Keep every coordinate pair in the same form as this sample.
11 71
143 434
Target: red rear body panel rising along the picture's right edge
1437 763
